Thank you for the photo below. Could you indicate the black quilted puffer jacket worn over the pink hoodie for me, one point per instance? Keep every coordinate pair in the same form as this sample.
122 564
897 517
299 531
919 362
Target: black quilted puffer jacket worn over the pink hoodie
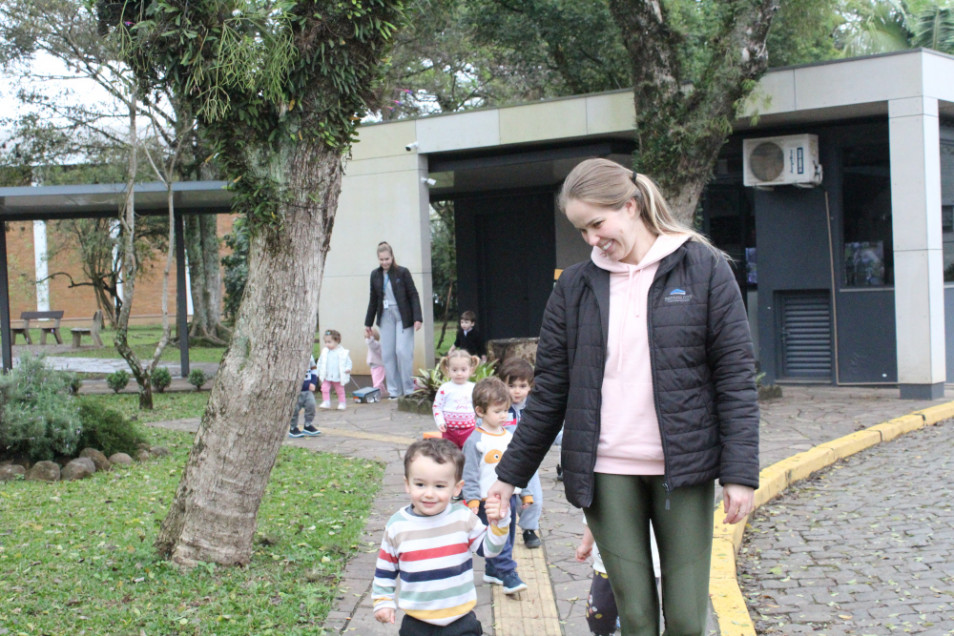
703 376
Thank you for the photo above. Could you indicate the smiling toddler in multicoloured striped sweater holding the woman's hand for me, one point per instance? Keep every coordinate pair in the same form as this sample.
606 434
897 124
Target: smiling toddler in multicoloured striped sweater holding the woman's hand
428 546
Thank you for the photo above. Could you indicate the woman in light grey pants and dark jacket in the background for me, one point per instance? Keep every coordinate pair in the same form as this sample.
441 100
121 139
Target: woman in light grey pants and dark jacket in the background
397 307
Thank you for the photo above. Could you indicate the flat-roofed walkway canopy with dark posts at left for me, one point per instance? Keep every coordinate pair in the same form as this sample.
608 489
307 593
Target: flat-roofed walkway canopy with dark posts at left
47 203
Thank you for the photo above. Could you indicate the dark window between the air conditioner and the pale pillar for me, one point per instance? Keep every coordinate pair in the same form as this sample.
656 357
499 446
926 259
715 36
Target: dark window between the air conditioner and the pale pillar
867 248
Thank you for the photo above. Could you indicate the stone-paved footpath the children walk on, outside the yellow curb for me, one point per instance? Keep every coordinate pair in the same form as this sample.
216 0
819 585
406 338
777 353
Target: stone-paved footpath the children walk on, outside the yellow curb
805 417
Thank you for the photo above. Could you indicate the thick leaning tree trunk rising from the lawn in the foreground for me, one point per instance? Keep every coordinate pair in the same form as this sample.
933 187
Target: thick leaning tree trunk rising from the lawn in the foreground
212 518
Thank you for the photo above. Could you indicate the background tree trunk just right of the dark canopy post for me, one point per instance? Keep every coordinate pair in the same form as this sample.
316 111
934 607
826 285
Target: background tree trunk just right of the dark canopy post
202 246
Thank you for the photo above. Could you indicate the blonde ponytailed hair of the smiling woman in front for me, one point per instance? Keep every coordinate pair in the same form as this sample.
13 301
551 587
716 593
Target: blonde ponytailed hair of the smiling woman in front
607 184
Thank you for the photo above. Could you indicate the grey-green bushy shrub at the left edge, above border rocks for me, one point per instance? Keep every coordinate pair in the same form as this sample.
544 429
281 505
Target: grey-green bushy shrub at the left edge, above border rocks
38 418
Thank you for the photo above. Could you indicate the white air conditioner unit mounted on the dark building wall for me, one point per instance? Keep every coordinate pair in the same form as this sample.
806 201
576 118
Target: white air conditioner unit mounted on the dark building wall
788 160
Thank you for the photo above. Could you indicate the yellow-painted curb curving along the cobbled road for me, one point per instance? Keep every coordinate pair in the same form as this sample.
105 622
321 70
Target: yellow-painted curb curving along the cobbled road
728 603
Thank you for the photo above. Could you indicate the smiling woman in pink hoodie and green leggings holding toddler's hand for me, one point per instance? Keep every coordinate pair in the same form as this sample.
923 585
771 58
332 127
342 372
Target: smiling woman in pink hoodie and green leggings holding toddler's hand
646 360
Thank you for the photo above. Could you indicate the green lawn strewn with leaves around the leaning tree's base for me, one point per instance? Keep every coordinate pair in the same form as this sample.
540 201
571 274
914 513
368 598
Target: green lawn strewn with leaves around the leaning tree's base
78 558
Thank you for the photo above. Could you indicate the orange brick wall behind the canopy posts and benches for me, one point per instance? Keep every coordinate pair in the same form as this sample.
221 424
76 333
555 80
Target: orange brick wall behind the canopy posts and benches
79 303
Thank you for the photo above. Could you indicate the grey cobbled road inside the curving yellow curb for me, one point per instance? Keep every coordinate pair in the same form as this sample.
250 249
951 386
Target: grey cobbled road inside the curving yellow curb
866 547
